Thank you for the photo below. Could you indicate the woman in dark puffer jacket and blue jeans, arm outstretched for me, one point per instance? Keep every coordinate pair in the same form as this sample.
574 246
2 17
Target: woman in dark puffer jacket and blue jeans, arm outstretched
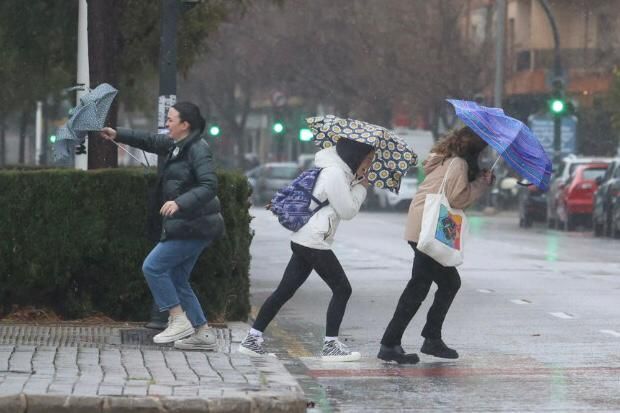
191 220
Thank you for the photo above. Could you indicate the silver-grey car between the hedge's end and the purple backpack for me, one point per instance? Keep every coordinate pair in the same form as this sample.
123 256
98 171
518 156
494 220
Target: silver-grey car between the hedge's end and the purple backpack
267 179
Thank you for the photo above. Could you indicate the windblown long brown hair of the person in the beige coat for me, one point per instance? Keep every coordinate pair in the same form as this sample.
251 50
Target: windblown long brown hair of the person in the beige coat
464 143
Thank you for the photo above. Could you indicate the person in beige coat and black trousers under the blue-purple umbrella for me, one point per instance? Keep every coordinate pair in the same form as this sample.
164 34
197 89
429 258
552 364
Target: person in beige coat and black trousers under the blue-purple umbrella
465 183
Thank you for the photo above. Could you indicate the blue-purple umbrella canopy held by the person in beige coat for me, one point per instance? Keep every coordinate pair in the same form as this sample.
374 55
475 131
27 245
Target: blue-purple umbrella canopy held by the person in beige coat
510 137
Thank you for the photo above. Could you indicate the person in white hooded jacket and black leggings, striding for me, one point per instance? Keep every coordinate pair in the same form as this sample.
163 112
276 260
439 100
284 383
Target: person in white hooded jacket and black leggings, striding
343 183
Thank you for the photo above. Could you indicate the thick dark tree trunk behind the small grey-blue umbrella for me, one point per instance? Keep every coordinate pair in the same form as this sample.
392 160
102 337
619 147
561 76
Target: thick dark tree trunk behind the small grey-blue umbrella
104 47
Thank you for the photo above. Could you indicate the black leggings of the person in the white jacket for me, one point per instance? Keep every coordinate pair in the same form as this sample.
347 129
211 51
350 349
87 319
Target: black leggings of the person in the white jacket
302 262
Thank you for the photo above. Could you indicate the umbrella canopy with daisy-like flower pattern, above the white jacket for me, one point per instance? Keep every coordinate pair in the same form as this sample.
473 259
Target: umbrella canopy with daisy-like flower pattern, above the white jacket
392 156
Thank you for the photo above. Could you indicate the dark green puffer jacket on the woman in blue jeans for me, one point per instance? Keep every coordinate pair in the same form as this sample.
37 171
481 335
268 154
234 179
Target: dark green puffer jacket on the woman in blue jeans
188 178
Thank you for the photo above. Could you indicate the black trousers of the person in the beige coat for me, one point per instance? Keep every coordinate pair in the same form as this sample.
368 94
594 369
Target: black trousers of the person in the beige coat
425 271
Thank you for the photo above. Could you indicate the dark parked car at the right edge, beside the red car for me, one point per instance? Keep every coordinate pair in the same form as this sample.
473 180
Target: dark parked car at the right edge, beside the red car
608 189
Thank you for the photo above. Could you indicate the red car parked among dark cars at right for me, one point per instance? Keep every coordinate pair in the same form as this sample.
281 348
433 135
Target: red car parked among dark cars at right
575 200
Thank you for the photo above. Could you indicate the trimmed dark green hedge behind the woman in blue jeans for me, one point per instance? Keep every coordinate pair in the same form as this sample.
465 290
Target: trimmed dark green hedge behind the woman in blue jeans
75 241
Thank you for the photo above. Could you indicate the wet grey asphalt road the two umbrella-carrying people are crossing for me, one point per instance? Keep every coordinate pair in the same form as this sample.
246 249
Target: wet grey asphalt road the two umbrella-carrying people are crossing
536 322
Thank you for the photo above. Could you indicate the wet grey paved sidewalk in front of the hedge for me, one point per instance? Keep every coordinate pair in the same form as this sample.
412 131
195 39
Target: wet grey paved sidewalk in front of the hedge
116 368
